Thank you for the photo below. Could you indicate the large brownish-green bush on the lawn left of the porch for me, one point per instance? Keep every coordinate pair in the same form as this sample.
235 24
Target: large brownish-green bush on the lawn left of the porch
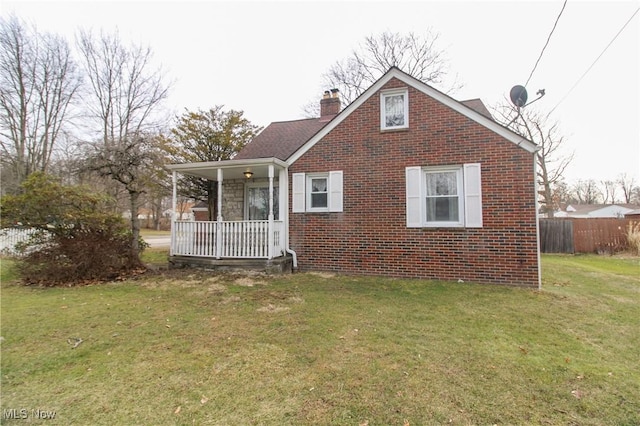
75 240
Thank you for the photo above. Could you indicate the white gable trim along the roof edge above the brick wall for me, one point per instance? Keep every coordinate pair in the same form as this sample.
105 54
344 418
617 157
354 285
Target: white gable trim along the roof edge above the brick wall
460 107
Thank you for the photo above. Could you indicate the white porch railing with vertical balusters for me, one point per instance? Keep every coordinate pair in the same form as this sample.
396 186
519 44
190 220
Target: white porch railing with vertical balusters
229 239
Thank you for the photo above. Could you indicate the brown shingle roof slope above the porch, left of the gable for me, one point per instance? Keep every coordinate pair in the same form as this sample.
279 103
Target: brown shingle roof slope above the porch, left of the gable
281 139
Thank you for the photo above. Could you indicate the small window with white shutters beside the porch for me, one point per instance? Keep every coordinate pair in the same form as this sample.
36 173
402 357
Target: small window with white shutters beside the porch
317 192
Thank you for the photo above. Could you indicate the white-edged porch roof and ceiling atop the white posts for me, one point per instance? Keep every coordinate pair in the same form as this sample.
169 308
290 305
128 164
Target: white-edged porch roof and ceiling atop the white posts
231 169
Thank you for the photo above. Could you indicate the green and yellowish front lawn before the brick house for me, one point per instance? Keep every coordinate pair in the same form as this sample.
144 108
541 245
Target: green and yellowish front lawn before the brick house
192 348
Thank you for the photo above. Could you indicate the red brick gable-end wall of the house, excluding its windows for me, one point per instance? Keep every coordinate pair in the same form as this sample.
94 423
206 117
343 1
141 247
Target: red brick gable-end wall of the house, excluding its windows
370 236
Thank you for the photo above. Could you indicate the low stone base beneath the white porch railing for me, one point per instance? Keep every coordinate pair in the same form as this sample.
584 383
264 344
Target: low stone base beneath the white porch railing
279 265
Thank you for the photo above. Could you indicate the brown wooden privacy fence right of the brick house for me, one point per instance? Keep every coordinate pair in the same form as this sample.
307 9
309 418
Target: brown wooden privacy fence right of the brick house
581 235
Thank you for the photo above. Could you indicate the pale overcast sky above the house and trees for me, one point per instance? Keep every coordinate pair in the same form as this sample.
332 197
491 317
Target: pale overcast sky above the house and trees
266 58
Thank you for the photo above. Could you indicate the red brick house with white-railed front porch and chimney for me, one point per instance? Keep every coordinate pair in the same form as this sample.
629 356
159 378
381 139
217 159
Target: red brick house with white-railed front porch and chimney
404 182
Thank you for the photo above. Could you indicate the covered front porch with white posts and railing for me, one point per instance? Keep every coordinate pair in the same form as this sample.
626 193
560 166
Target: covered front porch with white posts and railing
256 224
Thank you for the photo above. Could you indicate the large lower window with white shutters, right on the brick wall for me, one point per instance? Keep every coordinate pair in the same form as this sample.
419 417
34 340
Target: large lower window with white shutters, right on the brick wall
444 196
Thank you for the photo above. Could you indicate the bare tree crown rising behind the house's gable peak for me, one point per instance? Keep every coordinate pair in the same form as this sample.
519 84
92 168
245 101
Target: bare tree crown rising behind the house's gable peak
415 54
